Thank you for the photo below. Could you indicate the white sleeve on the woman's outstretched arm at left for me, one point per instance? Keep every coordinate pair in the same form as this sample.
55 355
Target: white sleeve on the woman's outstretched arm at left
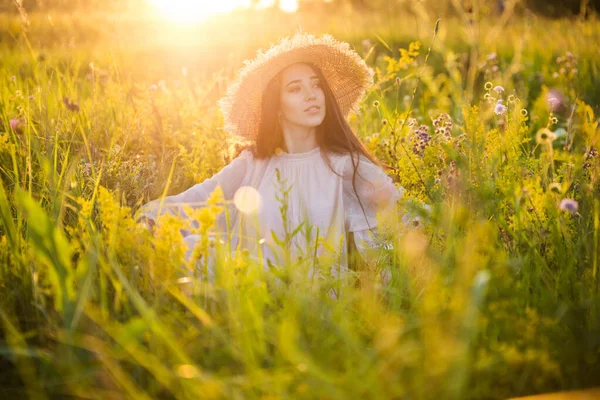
230 178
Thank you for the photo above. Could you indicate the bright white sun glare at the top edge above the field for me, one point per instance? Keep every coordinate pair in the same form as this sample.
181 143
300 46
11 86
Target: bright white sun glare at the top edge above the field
199 10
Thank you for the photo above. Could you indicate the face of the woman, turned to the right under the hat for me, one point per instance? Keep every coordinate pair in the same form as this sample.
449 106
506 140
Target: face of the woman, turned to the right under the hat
301 96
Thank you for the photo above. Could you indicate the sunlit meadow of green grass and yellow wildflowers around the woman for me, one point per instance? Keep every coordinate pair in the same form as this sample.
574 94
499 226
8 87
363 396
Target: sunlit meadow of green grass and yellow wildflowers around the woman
491 122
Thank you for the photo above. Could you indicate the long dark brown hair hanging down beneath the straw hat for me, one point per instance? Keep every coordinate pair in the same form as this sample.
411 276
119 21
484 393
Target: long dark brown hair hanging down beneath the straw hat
334 135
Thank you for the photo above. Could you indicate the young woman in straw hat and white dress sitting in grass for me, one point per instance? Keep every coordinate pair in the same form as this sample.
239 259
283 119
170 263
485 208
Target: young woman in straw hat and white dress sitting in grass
291 102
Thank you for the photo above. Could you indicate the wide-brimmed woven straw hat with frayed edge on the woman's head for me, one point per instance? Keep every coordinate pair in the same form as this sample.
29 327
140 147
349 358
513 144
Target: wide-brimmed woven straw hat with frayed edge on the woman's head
346 72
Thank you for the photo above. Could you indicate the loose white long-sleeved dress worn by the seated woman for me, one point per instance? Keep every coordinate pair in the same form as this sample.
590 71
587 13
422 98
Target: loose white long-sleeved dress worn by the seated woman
322 201
